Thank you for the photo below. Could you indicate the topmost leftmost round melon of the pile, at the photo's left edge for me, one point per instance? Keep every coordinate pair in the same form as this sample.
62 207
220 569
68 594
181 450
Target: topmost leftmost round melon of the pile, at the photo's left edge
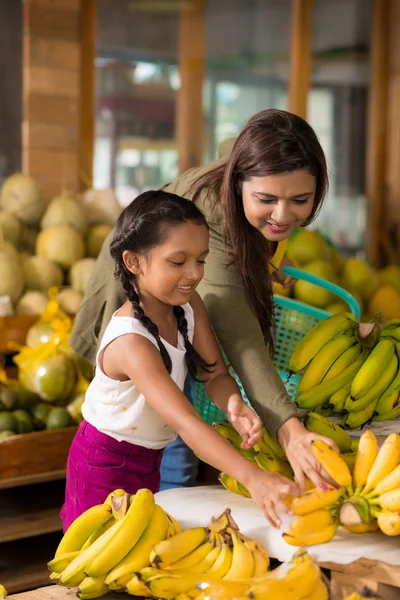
21 196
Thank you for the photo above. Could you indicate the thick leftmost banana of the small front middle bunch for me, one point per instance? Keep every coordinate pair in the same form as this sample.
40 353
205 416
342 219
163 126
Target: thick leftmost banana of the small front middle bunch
169 551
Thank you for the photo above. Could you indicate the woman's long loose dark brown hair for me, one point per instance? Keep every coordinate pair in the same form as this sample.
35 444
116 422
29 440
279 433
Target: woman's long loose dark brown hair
271 142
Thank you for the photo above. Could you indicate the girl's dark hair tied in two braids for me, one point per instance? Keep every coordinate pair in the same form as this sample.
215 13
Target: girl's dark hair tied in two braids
144 224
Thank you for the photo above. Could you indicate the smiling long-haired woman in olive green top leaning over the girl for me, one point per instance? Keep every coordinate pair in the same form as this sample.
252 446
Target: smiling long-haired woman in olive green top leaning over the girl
273 181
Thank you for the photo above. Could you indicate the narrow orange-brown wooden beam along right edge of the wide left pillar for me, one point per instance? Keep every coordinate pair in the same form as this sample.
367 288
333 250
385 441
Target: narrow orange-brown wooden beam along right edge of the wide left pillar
88 91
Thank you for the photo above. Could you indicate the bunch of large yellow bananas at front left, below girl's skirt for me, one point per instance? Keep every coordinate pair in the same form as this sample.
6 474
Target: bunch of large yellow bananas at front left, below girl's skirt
105 545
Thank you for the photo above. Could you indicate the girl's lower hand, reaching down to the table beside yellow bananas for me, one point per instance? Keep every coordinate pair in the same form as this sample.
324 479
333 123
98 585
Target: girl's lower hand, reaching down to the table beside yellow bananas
269 490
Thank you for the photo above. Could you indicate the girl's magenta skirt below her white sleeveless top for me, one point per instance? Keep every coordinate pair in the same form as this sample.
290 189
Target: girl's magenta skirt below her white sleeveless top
98 464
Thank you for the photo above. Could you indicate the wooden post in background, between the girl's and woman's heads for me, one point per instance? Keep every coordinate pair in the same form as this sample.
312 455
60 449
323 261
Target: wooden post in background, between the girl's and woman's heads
189 106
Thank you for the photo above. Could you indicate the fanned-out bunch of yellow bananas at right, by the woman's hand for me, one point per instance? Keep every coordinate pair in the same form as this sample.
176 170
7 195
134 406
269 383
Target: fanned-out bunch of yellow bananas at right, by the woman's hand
367 500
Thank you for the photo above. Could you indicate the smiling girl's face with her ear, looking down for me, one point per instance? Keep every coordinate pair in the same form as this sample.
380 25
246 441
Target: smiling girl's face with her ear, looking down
171 271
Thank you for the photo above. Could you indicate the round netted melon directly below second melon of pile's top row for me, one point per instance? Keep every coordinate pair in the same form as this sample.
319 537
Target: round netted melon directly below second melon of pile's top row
63 245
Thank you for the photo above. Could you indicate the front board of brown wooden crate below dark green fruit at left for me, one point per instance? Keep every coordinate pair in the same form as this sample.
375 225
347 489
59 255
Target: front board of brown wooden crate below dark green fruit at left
36 452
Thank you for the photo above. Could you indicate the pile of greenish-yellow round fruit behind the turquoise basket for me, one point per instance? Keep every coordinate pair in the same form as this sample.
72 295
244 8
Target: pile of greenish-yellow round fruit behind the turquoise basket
377 291
